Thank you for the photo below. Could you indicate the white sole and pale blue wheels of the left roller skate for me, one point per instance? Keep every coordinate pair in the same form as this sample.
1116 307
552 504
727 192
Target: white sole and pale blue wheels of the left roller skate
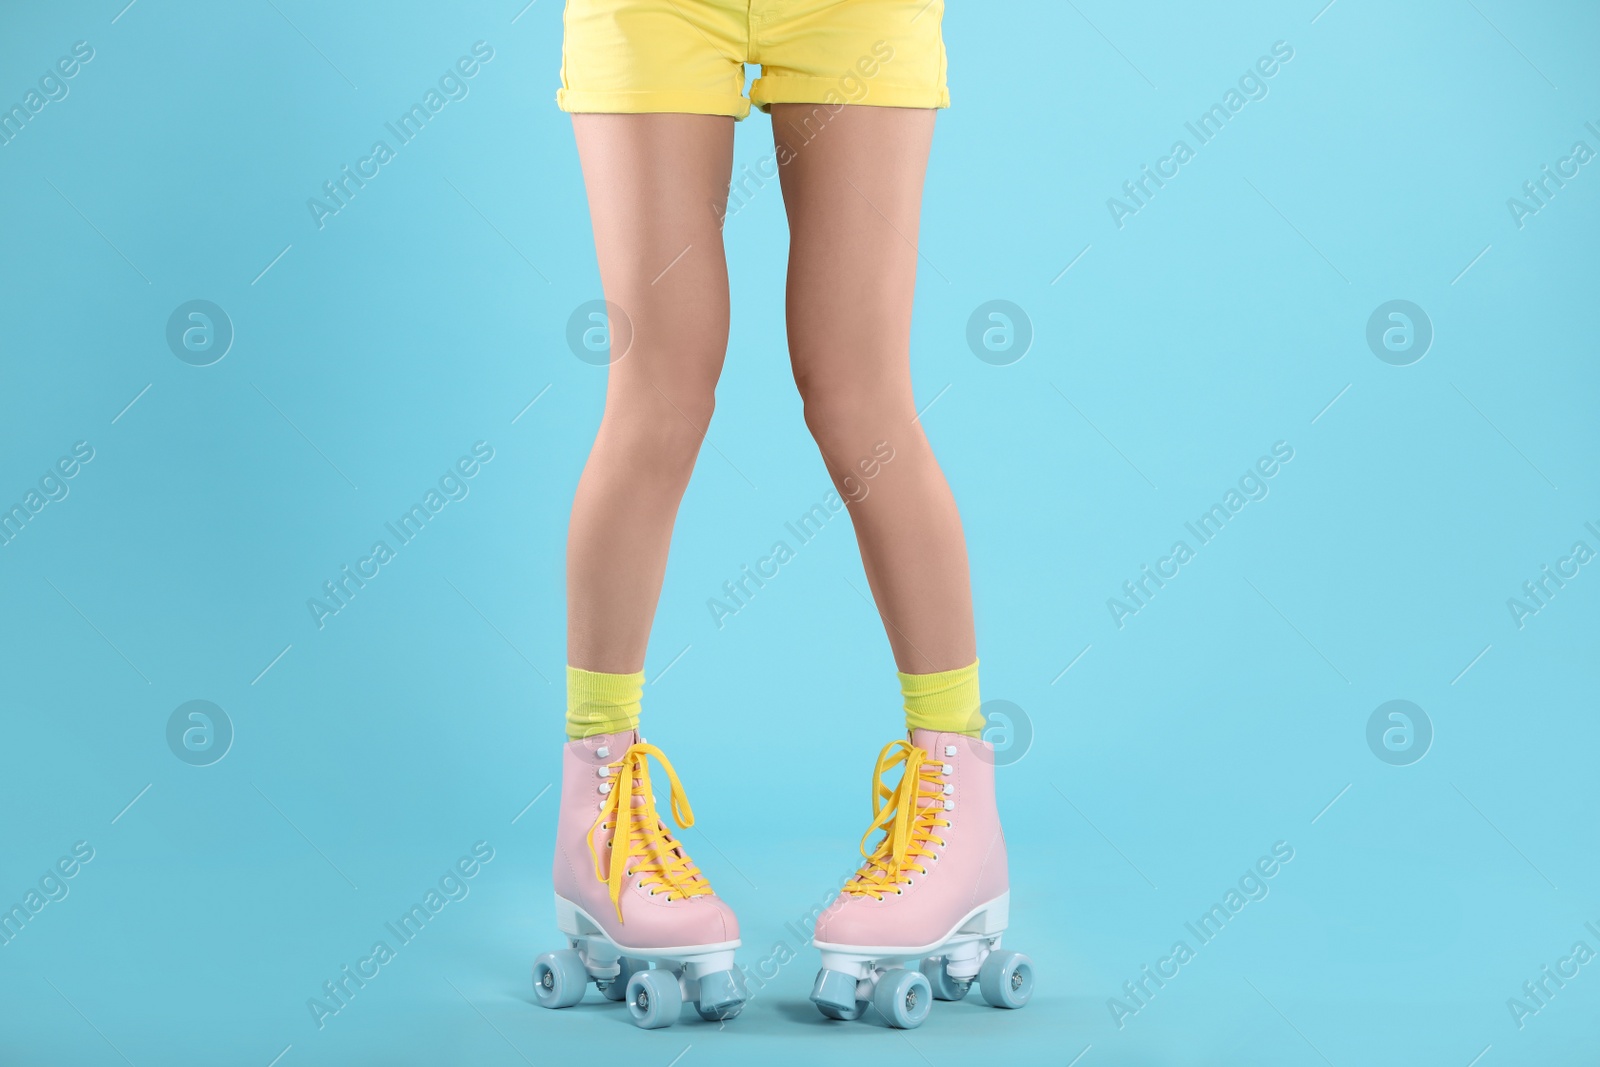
654 981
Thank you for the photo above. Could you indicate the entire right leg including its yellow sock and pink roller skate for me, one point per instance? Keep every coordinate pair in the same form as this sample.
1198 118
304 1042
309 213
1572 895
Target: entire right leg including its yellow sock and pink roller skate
854 186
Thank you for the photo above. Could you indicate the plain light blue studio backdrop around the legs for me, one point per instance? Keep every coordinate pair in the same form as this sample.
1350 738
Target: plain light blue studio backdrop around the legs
1226 316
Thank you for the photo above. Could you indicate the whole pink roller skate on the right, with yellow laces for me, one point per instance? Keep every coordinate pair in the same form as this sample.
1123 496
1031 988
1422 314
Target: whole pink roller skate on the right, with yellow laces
924 916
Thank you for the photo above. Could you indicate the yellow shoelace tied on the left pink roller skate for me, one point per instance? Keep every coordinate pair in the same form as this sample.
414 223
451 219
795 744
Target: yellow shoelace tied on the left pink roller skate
647 847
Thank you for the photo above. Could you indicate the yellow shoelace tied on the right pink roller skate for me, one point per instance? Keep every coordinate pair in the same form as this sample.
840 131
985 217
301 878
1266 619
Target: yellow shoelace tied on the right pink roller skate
908 815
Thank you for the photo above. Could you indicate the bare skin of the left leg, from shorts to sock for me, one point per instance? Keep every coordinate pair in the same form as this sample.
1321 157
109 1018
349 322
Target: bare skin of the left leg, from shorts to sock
655 185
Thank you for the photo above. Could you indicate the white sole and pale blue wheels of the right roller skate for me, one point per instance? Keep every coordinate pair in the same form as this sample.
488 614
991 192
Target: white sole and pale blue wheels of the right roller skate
902 981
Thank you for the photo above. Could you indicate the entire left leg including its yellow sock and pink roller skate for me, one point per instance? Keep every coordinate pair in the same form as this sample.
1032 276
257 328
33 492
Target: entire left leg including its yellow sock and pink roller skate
625 885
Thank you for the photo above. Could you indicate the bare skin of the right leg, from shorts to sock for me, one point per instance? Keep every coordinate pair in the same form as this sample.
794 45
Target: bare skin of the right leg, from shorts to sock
854 191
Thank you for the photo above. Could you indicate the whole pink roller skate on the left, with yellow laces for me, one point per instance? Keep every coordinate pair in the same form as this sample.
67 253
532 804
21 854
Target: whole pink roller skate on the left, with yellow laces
631 898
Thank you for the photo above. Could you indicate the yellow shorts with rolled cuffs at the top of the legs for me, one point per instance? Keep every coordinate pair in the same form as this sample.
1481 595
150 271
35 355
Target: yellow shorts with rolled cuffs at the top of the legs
631 57
